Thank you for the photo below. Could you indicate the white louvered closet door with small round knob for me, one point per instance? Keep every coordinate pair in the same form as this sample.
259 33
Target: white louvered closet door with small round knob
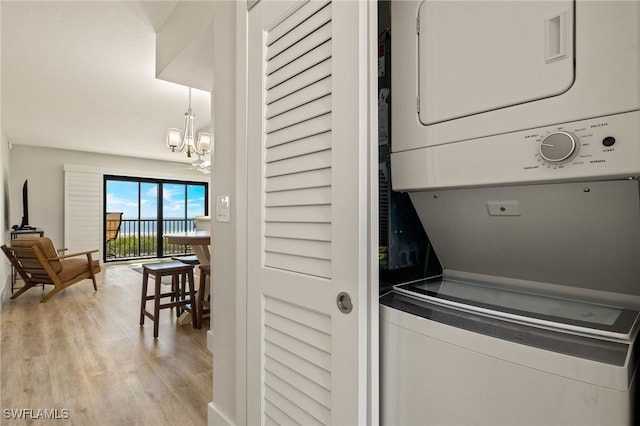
308 224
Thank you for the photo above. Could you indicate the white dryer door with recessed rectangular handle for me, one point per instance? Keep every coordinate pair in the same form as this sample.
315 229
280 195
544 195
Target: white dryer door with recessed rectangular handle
477 56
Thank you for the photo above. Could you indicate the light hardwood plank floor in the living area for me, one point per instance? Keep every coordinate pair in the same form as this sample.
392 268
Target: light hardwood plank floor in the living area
85 352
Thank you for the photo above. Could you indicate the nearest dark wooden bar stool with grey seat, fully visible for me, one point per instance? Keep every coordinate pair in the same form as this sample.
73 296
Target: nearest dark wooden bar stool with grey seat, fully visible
181 275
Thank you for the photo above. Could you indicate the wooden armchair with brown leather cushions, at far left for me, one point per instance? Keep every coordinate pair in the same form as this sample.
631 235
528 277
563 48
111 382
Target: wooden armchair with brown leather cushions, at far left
38 262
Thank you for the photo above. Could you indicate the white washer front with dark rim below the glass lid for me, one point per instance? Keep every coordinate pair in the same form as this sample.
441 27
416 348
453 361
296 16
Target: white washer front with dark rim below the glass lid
444 366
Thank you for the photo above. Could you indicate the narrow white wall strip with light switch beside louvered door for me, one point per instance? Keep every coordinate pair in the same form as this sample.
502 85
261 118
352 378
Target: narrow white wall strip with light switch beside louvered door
228 237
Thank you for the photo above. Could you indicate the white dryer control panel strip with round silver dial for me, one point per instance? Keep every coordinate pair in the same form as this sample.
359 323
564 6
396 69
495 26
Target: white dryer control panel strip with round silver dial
604 147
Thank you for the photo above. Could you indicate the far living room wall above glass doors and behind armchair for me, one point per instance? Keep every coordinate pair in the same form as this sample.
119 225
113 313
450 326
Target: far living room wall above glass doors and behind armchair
44 168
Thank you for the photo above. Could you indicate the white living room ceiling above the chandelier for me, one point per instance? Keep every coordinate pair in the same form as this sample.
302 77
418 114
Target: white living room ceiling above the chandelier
81 76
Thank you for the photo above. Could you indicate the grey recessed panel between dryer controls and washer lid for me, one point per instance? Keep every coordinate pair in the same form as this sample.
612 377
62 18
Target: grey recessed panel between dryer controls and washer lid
583 234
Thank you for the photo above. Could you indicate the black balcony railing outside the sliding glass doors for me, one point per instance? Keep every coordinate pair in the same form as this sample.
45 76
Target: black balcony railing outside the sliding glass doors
138 239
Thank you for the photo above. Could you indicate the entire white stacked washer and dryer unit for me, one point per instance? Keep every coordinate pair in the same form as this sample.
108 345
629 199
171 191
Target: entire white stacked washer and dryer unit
516 132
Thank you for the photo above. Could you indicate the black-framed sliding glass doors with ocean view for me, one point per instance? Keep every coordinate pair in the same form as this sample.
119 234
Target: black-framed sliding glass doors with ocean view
149 208
